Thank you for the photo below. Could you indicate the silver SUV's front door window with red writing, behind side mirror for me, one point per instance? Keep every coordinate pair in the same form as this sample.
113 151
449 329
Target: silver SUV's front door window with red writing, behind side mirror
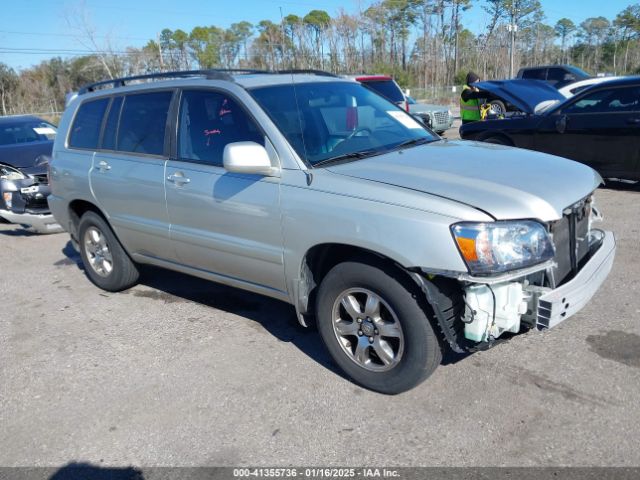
208 122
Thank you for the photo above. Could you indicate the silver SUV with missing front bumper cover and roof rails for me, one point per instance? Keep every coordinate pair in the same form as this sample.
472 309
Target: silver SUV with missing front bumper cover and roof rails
316 191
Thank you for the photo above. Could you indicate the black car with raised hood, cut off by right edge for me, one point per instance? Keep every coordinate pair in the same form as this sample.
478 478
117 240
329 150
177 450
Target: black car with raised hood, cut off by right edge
599 127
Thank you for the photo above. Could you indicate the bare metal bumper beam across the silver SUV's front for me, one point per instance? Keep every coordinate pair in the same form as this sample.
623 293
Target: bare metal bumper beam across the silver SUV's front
559 304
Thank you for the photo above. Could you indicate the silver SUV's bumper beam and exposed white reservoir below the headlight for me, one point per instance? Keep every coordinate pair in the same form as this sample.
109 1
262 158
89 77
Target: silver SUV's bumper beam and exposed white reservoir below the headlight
485 308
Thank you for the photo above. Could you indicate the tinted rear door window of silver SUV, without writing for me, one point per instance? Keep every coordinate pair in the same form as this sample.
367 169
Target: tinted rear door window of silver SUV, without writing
142 123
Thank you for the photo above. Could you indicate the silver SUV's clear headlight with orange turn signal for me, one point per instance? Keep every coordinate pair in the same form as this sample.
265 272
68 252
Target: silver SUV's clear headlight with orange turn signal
498 247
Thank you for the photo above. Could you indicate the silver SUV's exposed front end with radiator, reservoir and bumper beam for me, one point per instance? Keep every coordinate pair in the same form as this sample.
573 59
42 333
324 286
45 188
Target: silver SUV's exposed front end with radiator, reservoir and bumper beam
539 296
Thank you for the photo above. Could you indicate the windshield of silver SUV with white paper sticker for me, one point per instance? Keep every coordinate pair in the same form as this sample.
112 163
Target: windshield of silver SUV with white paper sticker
338 119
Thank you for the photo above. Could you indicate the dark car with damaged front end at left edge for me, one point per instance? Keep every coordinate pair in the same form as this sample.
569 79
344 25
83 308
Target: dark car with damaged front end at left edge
26 143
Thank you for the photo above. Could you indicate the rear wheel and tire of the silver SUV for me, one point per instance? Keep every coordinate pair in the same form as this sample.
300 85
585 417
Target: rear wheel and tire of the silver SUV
111 269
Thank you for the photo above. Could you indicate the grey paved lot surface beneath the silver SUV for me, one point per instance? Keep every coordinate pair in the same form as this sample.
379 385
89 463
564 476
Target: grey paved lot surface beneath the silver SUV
178 371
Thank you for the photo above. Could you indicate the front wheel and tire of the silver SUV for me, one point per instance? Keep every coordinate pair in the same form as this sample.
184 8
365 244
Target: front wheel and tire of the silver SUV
401 332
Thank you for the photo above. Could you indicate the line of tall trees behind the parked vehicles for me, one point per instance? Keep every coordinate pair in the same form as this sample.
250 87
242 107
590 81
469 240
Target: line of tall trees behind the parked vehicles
422 43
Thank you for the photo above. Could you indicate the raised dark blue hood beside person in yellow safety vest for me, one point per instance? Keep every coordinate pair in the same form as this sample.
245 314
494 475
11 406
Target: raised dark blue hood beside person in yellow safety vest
525 95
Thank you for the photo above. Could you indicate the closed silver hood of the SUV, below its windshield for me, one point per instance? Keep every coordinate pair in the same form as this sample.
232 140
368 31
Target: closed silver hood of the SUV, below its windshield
504 182
